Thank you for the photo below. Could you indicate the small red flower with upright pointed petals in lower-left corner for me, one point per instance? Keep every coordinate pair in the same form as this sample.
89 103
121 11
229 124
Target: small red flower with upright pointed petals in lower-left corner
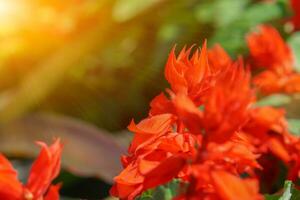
43 171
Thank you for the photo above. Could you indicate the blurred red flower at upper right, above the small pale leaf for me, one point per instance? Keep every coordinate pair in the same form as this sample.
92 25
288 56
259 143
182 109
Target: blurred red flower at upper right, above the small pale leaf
268 50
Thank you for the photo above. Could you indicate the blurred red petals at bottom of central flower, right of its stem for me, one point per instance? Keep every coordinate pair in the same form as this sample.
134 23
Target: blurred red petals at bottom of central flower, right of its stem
215 175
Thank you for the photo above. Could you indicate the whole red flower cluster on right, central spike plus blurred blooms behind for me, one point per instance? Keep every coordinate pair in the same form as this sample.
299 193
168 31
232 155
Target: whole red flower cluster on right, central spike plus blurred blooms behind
208 132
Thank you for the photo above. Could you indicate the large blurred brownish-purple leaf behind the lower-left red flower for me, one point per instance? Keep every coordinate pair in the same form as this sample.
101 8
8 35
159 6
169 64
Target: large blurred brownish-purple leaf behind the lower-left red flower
88 151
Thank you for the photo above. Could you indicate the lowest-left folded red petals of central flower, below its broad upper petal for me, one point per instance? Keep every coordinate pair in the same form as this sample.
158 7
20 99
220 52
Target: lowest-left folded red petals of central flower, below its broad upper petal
156 163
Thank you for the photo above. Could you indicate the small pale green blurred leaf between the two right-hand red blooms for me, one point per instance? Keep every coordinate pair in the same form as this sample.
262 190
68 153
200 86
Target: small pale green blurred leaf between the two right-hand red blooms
274 100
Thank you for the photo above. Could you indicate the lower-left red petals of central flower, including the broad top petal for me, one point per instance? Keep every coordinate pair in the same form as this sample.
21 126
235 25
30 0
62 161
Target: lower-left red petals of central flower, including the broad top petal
157 154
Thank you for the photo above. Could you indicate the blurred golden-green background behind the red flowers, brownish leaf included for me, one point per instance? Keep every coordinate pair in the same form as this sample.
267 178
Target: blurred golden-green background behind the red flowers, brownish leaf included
82 69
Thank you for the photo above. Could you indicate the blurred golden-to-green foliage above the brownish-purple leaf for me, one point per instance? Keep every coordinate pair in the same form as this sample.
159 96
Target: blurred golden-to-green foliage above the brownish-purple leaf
102 61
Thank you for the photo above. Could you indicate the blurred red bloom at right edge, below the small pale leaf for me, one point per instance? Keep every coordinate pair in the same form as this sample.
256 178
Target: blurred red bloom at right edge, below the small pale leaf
267 130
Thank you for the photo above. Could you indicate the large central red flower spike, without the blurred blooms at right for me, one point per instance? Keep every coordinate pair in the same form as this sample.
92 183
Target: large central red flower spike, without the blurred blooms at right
198 134
